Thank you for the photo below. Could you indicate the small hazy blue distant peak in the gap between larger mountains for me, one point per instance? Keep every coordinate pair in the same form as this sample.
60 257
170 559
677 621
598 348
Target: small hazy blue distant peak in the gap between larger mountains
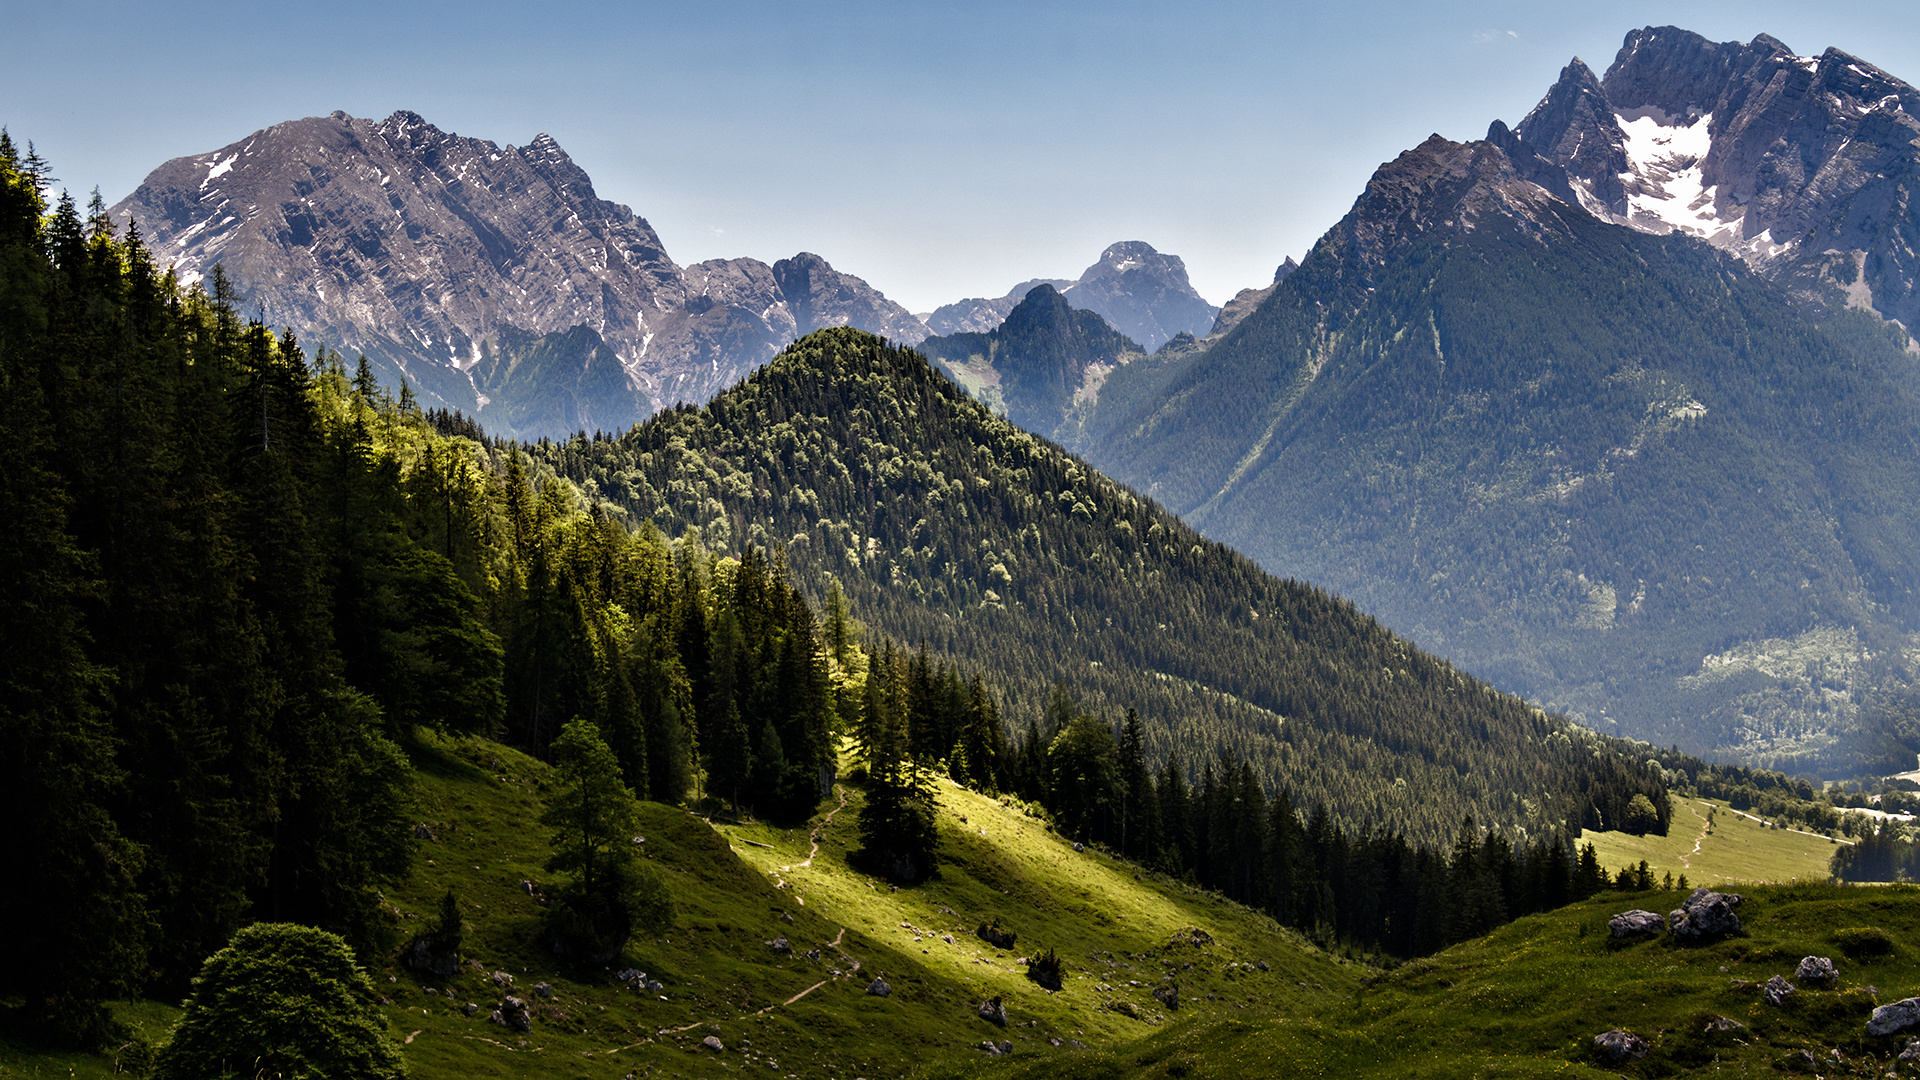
1141 293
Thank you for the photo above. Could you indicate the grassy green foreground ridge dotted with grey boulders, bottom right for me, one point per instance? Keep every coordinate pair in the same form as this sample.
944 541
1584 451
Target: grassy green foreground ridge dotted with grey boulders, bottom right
1529 1000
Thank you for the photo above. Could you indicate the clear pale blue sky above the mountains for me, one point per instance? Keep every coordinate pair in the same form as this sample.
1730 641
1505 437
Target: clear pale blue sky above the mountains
938 151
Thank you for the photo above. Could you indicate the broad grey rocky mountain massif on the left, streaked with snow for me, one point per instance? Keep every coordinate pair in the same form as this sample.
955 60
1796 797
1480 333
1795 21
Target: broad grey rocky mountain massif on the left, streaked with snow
450 262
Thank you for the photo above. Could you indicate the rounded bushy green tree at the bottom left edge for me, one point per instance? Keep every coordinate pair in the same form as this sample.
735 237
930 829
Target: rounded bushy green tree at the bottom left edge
283 1002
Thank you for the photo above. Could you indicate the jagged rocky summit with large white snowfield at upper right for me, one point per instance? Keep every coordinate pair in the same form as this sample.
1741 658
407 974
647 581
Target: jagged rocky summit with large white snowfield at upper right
1798 164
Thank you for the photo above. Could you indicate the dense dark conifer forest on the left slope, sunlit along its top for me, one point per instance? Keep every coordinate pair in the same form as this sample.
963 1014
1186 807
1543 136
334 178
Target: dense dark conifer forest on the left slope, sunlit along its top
237 585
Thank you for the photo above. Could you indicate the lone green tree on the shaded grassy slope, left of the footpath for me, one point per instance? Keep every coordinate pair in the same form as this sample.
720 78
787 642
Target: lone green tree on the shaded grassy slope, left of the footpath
594 820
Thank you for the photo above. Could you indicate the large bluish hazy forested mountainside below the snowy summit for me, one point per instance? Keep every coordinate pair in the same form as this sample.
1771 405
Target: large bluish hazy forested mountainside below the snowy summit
1606 470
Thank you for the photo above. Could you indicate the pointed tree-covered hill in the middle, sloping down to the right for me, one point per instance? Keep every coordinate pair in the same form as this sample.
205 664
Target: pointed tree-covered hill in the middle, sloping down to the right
948 526
